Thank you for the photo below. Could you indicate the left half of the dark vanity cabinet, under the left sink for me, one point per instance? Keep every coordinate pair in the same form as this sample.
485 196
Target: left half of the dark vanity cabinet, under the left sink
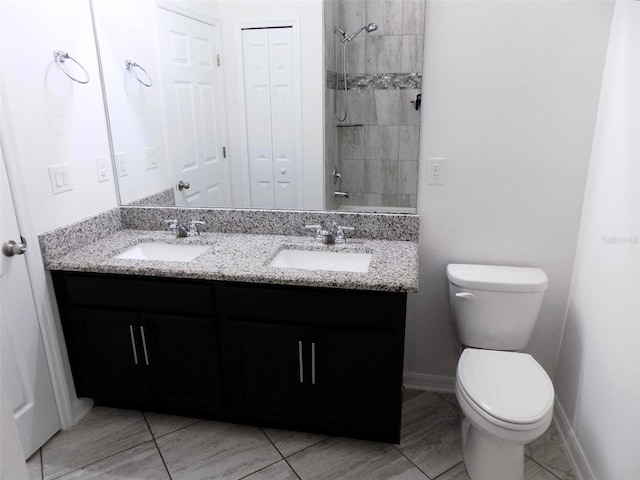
142 342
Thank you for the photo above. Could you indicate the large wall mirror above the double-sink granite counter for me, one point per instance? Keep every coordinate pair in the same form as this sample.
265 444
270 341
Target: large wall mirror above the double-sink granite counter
263 104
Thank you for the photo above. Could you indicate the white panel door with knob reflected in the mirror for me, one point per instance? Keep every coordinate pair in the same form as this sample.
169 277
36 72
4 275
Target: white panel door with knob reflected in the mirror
194 114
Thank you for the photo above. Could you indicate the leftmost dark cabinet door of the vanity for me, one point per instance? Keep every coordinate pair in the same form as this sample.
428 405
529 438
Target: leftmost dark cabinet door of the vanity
110 356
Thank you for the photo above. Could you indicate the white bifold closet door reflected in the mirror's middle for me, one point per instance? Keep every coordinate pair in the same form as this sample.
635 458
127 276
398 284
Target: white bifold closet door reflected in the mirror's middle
269 82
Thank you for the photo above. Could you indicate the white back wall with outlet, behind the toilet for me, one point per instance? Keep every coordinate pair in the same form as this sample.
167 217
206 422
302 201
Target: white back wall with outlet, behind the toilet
509 99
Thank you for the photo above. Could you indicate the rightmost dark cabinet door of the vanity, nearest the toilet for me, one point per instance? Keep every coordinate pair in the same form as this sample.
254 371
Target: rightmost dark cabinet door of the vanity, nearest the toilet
357 386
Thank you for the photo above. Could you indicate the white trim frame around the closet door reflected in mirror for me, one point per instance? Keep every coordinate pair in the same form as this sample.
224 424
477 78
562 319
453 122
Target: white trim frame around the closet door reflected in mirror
242 112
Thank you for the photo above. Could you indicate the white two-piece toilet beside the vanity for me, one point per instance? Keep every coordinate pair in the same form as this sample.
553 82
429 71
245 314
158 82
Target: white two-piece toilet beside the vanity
506 396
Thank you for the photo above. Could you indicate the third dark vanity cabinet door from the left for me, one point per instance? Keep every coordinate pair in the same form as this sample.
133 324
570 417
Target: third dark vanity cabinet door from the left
265 372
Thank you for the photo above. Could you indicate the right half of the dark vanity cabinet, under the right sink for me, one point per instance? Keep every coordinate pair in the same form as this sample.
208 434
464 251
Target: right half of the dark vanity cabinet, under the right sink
323 360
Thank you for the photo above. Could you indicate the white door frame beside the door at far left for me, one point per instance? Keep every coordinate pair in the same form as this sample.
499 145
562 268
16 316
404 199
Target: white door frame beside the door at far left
70 409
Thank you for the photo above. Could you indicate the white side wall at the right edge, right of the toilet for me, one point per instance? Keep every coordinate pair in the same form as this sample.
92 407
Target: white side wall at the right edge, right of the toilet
598 380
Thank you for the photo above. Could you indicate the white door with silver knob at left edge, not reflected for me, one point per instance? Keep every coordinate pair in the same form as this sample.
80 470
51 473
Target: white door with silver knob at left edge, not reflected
23 362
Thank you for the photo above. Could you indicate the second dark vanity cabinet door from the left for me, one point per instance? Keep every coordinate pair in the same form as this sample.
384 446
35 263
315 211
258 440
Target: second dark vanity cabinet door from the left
183 362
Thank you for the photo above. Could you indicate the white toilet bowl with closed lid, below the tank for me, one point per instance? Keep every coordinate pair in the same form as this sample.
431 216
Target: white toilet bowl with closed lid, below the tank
507 401
